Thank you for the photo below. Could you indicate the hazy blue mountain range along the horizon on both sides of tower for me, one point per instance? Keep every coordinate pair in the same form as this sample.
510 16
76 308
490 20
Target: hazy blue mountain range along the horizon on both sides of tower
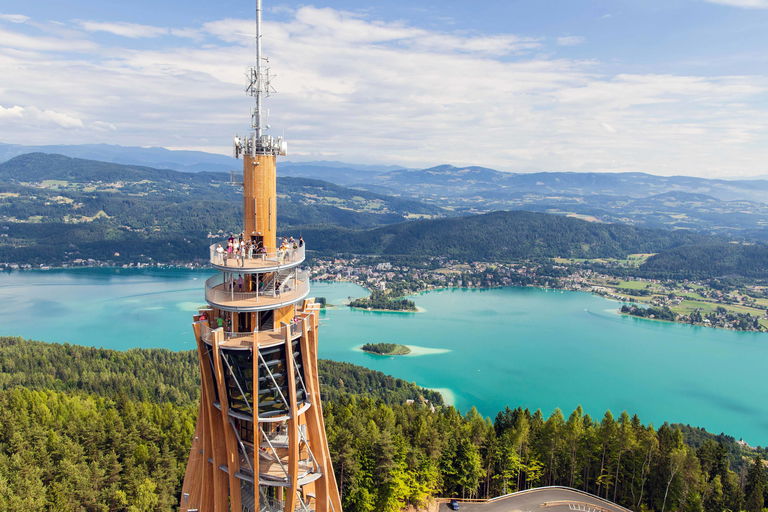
732 208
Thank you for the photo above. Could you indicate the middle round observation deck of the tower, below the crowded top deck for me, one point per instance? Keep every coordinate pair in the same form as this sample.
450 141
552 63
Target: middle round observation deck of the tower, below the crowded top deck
224 293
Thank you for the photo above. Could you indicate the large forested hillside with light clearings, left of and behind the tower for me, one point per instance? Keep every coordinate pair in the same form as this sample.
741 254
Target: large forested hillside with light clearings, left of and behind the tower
56 209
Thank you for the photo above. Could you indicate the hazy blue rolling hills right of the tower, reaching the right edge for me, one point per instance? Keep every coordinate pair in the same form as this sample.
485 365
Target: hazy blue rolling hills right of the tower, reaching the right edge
736 208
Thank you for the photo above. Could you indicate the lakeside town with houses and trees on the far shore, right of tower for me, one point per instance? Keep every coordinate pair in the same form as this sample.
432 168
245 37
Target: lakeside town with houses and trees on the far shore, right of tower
743 308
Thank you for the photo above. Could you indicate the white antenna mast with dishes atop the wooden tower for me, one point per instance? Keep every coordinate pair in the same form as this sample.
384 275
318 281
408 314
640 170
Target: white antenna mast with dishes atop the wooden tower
259 86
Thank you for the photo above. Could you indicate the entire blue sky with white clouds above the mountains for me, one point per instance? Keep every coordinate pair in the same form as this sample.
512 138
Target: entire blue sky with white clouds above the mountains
661 86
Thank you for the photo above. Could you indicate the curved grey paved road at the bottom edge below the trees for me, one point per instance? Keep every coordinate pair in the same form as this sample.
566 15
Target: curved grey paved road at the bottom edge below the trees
542 500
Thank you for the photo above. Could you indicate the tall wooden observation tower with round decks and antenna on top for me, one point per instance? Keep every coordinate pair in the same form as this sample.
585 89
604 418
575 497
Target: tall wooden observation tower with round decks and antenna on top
260 440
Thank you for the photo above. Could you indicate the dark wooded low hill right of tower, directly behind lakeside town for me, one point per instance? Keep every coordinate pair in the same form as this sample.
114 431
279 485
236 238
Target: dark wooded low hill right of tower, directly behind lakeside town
502 236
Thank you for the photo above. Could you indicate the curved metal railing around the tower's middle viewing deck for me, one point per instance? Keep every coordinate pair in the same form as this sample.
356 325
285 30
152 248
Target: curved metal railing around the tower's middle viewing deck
221 289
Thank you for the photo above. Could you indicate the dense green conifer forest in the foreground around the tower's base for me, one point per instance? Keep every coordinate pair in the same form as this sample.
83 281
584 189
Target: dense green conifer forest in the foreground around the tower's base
101 430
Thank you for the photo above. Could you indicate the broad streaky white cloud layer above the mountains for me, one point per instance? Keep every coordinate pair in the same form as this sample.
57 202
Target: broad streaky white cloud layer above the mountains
356 89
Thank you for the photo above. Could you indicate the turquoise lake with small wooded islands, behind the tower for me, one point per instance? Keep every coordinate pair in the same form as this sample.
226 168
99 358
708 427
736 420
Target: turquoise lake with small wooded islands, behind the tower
535 348
